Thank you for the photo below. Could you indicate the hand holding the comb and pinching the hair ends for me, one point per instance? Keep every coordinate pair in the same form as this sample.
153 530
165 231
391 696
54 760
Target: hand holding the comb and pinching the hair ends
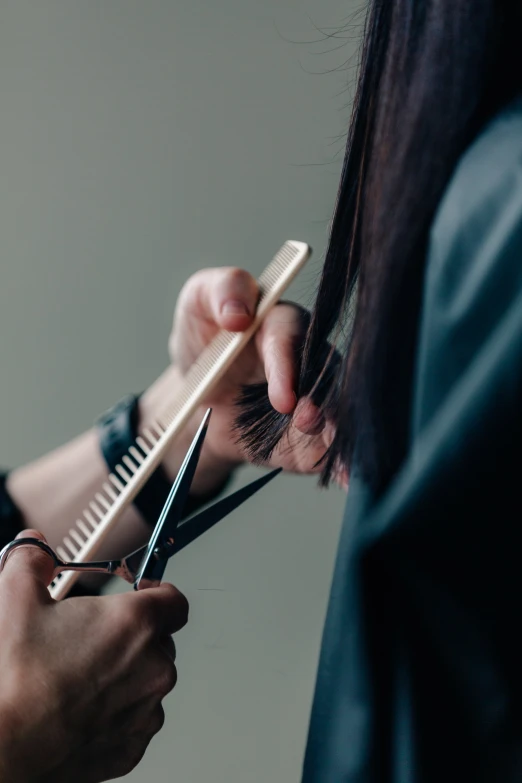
225 298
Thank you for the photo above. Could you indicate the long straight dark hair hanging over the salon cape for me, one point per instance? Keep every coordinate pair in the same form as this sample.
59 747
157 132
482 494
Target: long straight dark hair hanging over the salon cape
431 73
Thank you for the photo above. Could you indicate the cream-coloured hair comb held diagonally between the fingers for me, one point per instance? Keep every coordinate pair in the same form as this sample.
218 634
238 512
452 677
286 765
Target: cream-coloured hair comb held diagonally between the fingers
145 456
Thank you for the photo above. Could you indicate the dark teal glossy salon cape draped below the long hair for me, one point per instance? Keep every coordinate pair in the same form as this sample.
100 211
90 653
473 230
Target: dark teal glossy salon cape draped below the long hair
420 677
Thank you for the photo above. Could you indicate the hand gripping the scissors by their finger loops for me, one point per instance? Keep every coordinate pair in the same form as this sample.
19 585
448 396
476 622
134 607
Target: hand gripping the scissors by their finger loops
82 680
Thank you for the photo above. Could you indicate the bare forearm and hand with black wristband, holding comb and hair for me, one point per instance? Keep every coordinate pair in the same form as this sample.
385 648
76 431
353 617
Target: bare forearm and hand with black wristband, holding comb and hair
53 491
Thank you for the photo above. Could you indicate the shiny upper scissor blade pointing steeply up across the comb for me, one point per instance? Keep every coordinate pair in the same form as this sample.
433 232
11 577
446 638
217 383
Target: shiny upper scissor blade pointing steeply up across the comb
153 567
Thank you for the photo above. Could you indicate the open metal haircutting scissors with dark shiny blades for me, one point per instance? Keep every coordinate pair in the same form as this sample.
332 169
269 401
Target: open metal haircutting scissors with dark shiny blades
146 566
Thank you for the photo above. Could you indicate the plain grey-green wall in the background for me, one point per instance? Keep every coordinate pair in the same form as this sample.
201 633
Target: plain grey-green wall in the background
140 141
